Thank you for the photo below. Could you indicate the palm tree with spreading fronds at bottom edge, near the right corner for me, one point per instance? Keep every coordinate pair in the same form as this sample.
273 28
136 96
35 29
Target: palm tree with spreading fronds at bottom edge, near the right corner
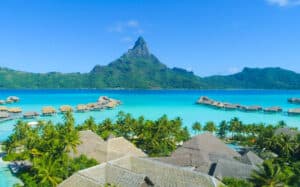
268 175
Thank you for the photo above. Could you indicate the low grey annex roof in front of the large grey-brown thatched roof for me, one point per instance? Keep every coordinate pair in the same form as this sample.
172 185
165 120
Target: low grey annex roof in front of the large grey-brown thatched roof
232 168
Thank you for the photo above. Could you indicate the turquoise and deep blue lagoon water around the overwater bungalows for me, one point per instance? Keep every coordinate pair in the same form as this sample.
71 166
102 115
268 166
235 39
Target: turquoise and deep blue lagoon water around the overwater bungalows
155 103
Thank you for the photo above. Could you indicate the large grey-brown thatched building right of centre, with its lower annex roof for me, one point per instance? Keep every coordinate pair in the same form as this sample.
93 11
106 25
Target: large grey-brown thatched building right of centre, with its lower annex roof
206 153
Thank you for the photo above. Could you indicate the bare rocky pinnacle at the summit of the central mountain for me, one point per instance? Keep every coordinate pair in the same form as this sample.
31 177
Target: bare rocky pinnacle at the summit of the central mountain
139 49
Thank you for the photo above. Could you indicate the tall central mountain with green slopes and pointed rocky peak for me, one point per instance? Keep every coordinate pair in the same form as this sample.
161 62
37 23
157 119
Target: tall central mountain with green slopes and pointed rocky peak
139 69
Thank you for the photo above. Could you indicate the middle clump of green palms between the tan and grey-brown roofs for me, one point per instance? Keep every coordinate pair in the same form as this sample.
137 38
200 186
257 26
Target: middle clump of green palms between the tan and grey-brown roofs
155 137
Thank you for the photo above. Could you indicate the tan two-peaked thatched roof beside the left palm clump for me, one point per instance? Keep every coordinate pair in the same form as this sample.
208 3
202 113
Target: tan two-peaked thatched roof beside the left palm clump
95 147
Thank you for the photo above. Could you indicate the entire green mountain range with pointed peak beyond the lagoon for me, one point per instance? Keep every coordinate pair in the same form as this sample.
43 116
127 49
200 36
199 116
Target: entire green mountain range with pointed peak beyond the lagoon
138 68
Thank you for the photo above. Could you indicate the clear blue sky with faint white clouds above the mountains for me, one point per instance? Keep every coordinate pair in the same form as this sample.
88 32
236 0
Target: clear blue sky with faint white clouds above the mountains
207 37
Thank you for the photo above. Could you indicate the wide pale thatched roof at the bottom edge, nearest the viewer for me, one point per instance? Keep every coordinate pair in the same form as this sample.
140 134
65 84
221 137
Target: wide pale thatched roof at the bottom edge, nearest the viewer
132 171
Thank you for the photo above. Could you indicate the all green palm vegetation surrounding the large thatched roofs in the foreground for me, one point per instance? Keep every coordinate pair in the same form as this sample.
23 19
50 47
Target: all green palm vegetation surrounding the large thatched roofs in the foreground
48 145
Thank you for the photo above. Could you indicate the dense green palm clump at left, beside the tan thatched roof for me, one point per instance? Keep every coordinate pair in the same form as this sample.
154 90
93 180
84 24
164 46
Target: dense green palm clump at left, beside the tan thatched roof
46 147
